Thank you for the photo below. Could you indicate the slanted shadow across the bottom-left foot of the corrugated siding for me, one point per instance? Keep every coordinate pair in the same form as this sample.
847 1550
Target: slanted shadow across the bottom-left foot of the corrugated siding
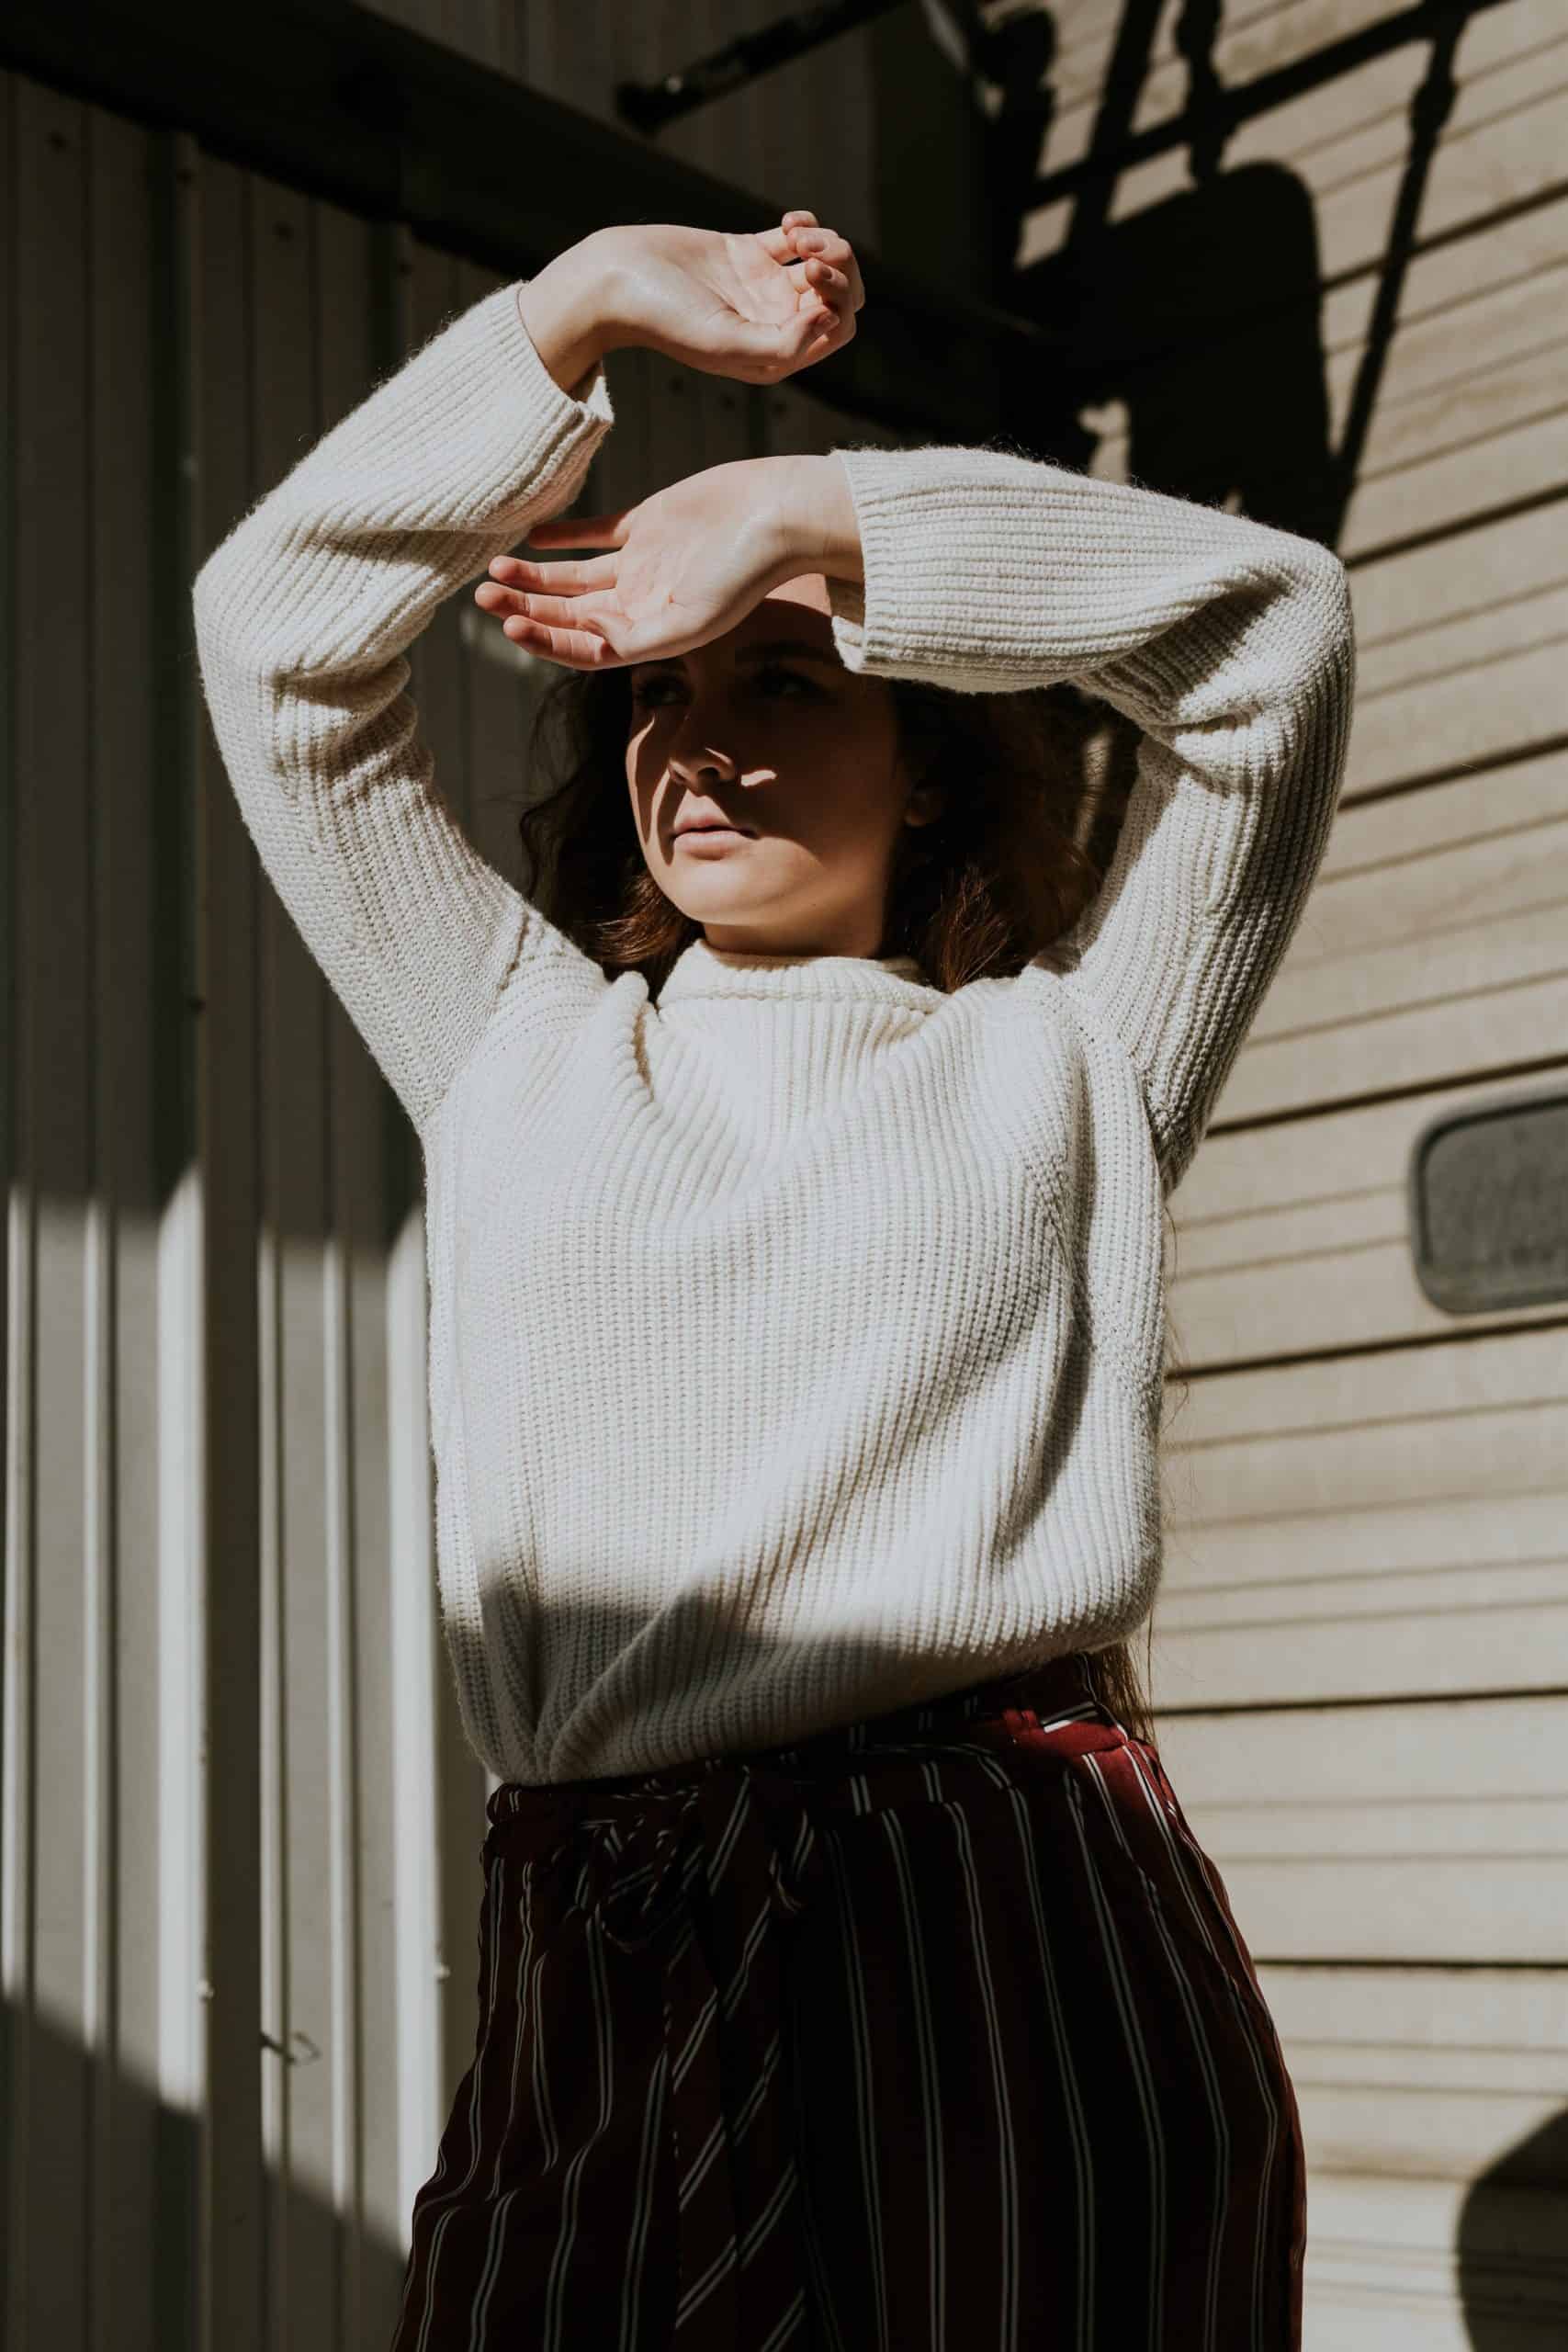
116 2172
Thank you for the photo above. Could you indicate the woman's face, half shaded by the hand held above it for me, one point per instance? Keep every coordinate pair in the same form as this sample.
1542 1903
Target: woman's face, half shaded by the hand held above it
768 730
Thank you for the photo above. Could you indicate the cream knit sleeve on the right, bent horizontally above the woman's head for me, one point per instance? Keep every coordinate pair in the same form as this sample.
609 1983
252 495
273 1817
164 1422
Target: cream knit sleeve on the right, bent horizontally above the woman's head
1226 643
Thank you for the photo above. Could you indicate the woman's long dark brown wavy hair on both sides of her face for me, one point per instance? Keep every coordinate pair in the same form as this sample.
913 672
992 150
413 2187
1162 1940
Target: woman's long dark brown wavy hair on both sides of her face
1000 874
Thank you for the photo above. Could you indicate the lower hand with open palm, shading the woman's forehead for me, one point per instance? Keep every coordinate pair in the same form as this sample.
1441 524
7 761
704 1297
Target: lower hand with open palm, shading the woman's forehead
683 568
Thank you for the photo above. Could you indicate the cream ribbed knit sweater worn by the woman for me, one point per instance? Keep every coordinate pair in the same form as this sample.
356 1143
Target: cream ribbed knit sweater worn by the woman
796 1342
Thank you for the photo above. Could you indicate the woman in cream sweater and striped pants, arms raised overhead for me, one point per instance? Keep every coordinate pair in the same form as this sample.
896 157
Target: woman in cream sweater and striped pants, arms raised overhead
850 1975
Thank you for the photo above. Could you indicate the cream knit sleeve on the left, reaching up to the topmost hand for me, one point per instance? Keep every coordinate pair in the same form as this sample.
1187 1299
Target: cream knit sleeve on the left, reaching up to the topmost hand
302 624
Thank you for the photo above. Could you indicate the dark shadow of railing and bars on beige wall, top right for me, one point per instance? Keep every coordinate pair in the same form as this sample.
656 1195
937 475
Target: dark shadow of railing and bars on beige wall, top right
1200 316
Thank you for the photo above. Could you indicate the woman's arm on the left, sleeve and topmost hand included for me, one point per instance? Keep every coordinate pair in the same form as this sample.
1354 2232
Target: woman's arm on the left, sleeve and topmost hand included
307 610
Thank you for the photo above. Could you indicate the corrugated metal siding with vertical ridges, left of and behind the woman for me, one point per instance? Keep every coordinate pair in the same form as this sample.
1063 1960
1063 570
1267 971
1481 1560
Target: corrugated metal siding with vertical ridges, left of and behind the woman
239 1885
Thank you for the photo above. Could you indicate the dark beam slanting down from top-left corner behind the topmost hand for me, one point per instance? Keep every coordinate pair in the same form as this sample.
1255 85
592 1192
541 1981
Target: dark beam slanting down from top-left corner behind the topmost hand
351 107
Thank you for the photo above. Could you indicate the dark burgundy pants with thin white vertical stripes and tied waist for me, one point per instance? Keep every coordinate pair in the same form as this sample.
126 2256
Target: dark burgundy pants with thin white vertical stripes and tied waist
934 2031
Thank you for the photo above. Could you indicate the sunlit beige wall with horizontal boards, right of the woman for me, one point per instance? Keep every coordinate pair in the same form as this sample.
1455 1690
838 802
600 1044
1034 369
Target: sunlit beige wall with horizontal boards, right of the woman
1362 1645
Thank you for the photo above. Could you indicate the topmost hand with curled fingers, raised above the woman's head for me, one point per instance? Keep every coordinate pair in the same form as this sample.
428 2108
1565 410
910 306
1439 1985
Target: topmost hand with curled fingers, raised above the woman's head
756 307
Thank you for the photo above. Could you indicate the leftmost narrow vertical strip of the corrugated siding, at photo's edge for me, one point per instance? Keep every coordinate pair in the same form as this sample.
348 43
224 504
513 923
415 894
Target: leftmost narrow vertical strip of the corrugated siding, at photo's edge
51 1563
